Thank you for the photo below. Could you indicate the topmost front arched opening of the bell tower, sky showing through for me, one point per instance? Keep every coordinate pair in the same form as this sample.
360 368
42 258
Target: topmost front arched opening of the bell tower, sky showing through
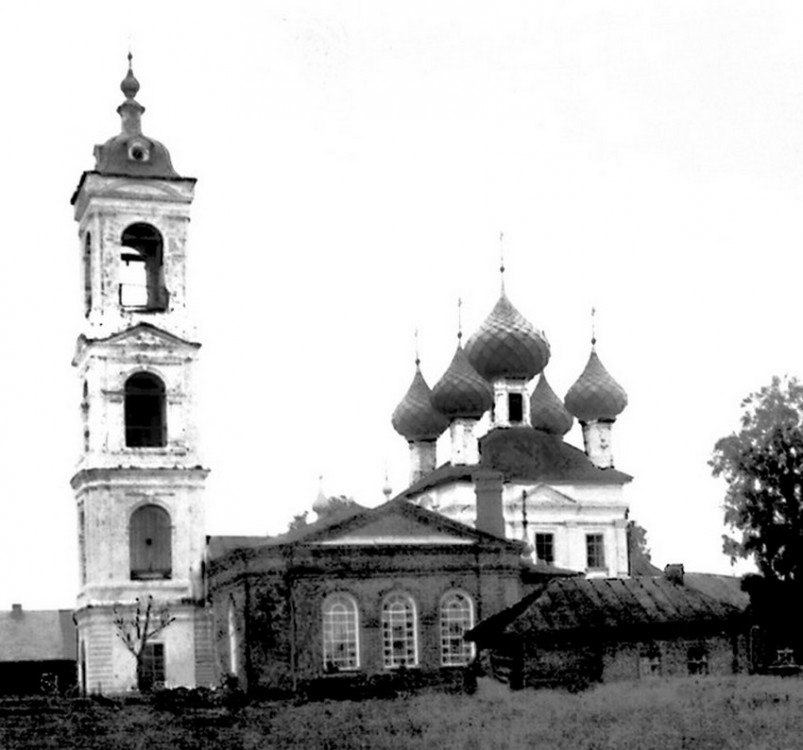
142 285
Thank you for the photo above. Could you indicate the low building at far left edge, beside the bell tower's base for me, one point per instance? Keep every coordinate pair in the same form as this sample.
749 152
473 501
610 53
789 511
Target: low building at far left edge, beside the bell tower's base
37 651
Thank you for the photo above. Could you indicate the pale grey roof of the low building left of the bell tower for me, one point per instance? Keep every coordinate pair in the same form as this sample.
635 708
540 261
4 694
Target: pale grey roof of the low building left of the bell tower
37 635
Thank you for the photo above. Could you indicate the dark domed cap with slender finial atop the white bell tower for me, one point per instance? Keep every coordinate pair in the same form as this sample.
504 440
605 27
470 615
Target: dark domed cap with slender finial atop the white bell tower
131 153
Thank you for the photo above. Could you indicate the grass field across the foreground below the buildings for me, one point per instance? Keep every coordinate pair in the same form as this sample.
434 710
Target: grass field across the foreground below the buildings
748 713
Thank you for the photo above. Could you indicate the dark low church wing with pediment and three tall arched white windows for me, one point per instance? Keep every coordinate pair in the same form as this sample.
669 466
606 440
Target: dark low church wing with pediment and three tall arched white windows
377 595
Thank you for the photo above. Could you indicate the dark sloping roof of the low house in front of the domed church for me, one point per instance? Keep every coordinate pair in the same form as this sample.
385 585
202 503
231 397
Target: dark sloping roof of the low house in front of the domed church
574 605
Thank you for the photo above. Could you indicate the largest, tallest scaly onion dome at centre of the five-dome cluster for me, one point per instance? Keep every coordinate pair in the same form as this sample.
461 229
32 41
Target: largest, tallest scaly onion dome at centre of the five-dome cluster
507 345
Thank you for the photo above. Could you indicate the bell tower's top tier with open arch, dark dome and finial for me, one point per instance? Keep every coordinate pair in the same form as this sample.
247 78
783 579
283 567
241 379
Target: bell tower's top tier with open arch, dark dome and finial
132 211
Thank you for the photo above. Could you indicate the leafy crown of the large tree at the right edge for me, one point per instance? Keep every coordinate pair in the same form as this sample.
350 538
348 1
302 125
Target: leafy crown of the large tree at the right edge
762 465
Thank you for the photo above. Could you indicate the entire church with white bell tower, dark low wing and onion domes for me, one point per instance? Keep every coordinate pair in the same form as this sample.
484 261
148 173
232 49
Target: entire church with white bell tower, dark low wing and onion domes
362 593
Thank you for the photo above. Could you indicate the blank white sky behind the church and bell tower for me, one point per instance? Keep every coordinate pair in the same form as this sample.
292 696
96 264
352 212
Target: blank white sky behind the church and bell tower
356 163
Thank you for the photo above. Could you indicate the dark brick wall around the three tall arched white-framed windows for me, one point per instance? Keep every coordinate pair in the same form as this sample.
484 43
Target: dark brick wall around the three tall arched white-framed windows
277 599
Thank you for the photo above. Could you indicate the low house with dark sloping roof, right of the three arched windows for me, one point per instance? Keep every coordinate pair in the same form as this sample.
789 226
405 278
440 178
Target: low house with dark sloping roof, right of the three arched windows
576 631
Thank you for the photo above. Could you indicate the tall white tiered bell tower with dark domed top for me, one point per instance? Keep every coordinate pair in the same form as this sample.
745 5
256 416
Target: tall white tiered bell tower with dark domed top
139 480
